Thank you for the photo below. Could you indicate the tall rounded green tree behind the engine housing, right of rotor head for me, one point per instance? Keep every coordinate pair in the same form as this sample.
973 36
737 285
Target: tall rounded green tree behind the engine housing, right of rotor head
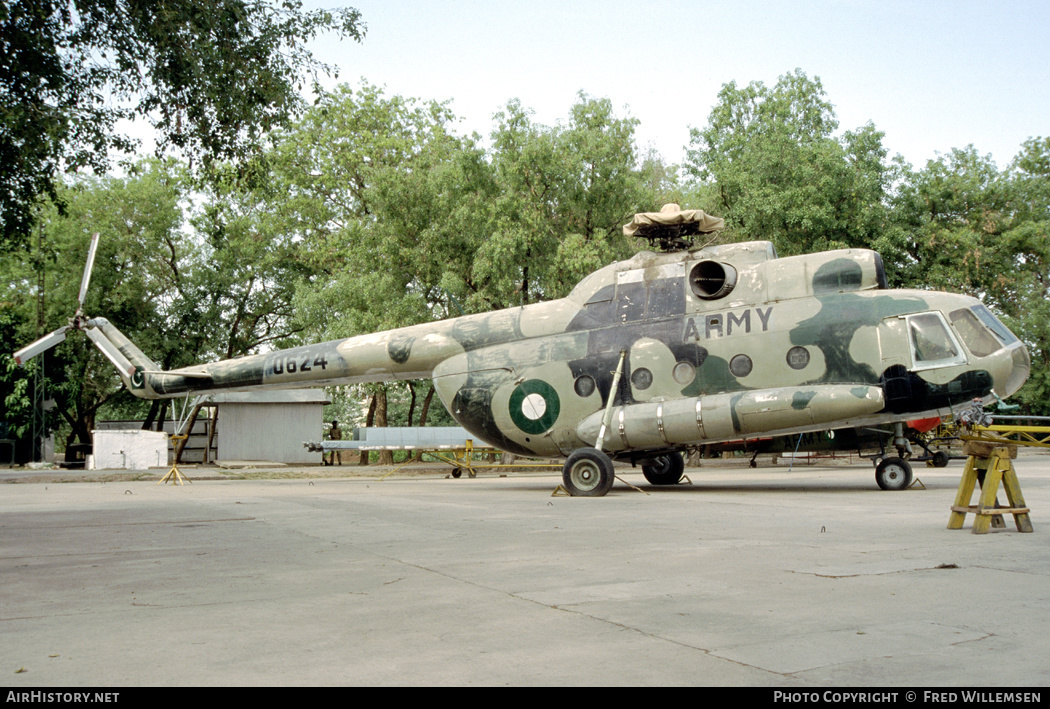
782 175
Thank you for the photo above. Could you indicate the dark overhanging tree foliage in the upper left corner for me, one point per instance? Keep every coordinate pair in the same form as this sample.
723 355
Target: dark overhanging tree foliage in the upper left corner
212 78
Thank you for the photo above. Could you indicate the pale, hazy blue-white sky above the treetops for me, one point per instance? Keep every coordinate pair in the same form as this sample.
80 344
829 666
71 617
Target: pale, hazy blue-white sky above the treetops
931 75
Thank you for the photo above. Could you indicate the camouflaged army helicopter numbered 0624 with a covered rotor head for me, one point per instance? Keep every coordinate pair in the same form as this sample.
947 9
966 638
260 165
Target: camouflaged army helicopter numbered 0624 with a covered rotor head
673 349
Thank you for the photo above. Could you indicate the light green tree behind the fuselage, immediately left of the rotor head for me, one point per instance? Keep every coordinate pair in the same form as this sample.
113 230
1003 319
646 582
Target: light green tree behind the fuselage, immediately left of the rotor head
563 195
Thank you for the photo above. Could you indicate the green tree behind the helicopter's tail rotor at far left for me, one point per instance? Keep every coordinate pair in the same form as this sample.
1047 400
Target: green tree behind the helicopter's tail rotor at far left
140 266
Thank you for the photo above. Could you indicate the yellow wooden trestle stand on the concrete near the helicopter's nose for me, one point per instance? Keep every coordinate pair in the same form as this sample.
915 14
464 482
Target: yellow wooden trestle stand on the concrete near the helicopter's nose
990 466
